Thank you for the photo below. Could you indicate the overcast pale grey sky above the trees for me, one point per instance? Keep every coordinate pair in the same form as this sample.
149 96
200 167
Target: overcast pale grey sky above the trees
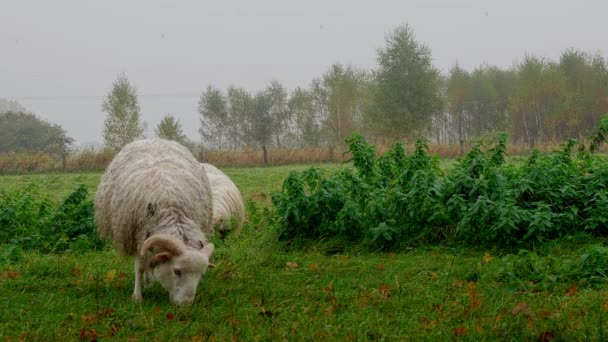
59 58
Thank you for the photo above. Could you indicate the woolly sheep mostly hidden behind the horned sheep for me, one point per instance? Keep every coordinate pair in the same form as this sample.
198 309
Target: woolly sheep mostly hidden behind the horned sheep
227 199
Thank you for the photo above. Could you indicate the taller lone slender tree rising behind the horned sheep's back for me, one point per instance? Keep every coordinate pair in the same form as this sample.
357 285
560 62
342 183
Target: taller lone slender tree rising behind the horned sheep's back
123 124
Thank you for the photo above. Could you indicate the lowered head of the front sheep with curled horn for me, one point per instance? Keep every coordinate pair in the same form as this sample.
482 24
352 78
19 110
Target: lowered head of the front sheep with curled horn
177 267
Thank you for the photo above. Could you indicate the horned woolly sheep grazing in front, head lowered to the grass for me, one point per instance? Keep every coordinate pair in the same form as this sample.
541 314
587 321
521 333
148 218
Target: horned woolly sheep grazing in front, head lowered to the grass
154 202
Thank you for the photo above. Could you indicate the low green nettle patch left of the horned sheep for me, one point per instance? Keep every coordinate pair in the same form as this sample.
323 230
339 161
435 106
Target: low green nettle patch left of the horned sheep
32 221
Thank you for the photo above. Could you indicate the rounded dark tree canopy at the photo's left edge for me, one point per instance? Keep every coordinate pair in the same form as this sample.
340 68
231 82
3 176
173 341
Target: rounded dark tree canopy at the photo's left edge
24 132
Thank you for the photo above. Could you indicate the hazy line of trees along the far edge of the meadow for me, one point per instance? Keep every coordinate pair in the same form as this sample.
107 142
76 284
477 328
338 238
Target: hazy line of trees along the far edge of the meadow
405 97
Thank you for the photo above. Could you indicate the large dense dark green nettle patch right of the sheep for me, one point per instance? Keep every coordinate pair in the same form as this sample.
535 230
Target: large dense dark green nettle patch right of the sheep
398 199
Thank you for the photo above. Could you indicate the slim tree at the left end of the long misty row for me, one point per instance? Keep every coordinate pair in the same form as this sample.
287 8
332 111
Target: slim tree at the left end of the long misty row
214 117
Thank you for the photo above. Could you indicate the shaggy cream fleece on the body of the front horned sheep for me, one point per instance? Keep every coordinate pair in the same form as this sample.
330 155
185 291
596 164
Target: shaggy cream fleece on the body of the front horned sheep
150 187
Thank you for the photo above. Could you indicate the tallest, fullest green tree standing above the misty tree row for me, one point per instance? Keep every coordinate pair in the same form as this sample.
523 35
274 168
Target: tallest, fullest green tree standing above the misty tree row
407 91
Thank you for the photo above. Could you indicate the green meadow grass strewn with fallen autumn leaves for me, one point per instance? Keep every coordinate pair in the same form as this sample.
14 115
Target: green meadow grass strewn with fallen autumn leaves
263 290
